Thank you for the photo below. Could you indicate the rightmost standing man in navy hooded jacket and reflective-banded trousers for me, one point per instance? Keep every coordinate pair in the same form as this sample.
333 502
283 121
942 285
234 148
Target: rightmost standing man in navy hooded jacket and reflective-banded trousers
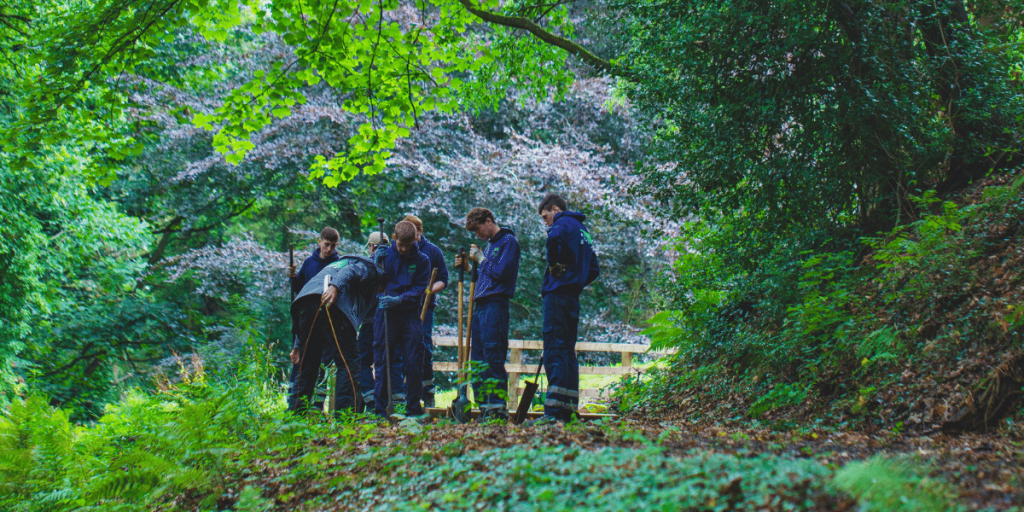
572 267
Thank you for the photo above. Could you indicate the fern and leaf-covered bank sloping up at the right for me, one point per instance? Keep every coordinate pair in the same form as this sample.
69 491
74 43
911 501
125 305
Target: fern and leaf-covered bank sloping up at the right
843 325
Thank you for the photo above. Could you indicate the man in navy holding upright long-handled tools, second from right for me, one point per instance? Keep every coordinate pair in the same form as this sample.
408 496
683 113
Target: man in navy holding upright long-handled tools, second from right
498 271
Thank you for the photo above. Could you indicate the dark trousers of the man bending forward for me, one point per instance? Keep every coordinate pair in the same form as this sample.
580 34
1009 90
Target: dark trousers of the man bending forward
318 336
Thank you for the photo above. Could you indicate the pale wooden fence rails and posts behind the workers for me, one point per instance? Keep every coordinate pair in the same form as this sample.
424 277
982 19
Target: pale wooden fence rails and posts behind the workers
516 368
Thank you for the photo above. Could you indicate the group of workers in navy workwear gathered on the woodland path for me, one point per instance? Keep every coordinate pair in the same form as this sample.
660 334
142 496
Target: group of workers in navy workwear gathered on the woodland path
363 315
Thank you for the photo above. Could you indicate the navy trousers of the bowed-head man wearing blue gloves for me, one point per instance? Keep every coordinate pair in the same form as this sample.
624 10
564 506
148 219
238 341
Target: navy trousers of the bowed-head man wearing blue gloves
405 336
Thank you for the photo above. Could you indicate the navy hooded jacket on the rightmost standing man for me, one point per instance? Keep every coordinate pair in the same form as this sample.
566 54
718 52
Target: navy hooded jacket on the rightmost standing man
571 244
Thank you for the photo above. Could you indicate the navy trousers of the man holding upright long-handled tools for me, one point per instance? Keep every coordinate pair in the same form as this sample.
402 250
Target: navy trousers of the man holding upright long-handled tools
491 346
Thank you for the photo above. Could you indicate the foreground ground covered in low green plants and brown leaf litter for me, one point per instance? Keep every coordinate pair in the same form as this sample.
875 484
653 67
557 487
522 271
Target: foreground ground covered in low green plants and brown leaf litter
634 464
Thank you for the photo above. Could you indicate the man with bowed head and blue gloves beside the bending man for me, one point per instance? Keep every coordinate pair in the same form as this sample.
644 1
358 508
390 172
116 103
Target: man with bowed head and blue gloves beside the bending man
398 326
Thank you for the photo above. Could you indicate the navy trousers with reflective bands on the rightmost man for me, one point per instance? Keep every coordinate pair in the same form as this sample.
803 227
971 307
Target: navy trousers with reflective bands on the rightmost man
562 322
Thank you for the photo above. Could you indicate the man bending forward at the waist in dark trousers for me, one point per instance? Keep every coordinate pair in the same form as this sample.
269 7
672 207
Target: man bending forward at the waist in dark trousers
330 308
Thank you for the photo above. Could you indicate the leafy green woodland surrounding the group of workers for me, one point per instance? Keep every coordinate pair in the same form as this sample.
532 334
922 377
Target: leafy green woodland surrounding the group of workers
817 203
